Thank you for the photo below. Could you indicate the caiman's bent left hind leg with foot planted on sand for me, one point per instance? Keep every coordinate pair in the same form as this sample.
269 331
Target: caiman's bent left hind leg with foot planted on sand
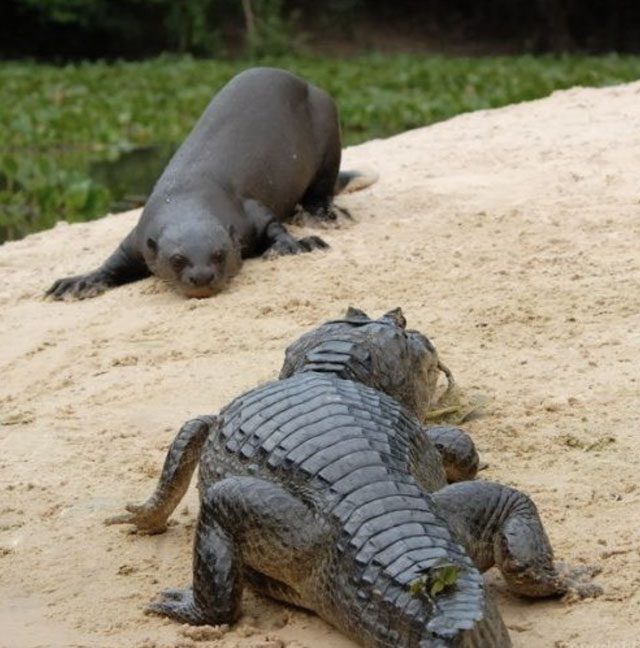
251 526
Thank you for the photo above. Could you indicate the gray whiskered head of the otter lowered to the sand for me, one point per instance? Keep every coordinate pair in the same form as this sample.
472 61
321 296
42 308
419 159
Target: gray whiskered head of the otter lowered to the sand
196 259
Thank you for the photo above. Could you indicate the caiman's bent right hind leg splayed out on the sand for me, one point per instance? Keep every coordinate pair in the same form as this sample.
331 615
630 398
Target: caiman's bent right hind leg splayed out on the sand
500 526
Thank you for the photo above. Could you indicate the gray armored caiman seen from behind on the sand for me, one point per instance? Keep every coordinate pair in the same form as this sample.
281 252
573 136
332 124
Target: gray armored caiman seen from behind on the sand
324 490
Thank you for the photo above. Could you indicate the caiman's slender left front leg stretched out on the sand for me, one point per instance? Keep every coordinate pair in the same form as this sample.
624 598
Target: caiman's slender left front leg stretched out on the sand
182 458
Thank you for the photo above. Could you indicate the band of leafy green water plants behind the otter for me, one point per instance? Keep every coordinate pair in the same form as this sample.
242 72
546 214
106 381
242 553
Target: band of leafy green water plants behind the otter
59 121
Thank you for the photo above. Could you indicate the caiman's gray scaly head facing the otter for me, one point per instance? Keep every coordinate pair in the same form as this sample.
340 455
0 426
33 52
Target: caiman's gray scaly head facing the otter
380 353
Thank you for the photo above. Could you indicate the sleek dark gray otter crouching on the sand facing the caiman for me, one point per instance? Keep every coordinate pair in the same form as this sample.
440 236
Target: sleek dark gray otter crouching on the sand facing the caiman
267 141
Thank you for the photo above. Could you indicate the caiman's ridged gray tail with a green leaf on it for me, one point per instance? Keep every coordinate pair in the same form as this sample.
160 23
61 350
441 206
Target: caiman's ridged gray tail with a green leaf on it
401 579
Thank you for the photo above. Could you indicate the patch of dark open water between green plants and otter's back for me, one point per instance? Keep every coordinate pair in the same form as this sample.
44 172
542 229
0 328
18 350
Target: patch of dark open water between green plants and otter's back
131 177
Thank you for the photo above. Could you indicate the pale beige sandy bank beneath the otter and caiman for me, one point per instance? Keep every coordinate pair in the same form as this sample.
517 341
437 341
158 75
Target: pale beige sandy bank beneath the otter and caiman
509 236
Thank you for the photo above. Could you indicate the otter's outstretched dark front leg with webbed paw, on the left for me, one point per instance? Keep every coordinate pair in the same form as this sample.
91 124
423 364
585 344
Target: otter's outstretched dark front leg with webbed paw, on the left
125 265
